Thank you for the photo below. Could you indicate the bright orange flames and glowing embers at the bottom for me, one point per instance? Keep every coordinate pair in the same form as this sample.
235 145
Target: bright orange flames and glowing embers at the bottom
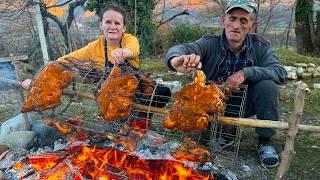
109 163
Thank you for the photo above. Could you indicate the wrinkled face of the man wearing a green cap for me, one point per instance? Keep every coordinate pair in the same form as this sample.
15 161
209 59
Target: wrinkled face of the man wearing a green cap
237 24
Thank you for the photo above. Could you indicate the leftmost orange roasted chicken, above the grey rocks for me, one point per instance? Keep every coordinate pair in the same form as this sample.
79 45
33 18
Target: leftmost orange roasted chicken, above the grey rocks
47 88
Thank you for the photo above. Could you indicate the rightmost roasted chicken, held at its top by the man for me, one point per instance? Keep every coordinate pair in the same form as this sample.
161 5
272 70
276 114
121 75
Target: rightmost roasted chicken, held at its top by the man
193 104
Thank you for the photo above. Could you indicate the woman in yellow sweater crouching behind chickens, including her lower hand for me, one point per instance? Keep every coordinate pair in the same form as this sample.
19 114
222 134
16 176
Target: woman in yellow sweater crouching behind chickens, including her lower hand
116 46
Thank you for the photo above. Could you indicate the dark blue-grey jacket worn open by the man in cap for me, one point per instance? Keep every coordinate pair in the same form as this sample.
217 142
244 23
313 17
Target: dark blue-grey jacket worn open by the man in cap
266 65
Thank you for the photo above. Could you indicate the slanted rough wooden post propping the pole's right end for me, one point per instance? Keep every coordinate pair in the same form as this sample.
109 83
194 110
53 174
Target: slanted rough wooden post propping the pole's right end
287 153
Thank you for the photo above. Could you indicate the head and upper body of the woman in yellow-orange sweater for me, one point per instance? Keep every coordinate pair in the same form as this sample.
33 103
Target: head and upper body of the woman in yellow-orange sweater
115 46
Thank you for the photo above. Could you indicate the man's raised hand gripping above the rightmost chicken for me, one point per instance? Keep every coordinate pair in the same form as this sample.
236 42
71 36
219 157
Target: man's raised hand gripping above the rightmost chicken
186 63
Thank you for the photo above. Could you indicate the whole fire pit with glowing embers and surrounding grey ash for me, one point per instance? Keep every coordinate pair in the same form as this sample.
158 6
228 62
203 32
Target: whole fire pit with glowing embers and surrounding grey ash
152 159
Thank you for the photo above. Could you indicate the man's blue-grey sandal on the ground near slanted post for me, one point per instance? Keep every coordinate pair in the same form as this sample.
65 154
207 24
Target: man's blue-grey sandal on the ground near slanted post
268 156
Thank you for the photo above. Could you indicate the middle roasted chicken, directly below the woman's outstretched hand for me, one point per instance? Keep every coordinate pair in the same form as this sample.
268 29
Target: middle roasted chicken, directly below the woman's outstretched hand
114 98
